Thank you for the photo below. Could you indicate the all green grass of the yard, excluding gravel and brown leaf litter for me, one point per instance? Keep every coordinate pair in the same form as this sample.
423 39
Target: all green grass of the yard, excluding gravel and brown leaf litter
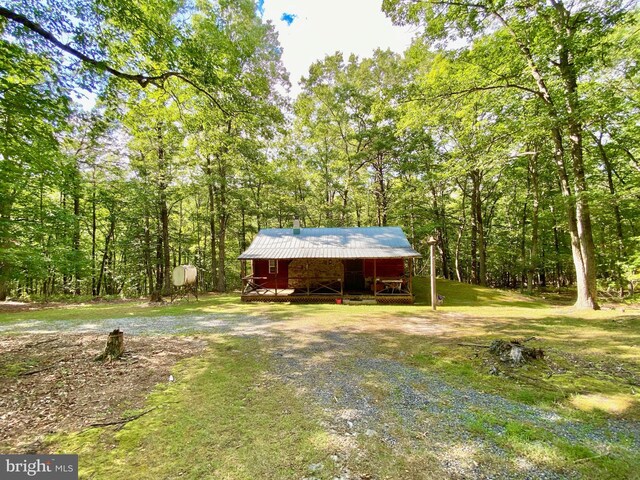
226 418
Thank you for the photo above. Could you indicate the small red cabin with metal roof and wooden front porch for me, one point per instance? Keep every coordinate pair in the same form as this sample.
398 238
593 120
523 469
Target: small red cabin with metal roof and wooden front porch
341 265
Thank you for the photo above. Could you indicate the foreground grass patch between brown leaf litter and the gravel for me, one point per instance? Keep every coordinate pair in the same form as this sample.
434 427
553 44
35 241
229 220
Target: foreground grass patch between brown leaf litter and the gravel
223 418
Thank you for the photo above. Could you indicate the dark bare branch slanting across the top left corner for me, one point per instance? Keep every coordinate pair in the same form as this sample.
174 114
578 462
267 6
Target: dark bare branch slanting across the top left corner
142 80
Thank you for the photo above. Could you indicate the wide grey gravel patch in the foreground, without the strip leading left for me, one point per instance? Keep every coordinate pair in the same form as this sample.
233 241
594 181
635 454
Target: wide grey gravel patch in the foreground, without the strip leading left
339 370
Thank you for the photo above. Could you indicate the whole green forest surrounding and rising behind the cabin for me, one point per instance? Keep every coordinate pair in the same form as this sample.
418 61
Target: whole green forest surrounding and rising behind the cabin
137 135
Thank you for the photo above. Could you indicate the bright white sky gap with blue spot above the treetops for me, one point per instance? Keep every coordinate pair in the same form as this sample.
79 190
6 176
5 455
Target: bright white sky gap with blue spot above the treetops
310 29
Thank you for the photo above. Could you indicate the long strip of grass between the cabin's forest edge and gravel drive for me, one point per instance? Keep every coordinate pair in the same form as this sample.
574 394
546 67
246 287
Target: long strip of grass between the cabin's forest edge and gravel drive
459 298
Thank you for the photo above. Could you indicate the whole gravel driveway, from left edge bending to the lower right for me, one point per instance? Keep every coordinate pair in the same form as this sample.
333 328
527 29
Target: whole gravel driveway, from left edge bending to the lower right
336 370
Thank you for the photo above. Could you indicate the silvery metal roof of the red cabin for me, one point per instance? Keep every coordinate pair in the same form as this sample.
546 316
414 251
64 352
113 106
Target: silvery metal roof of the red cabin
367 242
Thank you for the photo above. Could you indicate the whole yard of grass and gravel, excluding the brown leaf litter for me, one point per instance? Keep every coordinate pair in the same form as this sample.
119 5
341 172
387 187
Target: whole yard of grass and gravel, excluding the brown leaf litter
326 391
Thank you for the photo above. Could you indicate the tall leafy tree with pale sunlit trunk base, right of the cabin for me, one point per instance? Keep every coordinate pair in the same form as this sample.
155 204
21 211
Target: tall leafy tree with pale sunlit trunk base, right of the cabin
558 43
